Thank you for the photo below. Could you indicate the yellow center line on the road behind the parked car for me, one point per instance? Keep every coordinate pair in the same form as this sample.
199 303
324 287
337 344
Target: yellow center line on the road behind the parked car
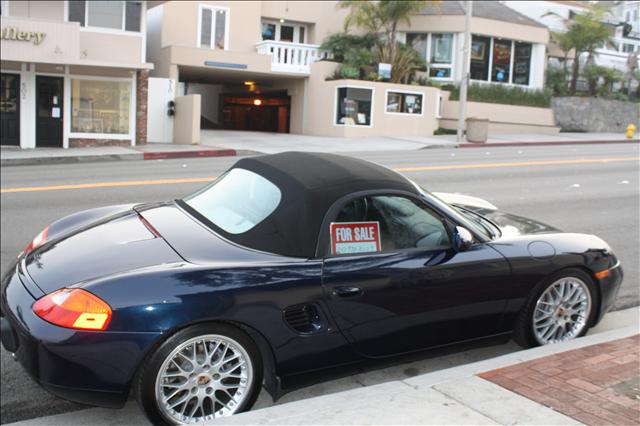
402 169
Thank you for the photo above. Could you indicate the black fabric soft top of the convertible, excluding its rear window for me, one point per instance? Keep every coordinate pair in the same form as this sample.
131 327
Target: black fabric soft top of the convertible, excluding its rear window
310 184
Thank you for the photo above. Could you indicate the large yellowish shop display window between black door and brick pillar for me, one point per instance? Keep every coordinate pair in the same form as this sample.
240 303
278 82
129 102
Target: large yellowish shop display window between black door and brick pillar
100 106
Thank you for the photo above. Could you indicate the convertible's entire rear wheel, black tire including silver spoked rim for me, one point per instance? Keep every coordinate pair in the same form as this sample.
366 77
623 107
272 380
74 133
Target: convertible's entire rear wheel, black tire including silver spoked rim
187 369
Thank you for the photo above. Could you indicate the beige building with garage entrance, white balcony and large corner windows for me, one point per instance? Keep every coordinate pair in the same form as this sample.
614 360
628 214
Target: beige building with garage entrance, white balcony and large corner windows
257 65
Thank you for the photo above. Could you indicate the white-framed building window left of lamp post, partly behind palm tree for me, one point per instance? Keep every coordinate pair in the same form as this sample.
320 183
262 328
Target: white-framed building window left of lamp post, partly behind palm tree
437 50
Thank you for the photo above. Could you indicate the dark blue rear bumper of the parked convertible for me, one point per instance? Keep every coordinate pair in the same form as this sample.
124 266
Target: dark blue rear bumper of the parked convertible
94 368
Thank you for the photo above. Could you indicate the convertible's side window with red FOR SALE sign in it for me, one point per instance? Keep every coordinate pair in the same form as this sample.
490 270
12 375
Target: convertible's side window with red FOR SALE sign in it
388 223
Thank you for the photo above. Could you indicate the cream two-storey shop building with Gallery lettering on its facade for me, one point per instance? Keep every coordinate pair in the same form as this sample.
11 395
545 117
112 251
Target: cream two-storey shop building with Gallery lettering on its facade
74 73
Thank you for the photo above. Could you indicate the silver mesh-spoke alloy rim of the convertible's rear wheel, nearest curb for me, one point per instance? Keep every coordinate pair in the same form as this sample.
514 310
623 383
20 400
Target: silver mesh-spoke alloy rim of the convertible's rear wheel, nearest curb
204 378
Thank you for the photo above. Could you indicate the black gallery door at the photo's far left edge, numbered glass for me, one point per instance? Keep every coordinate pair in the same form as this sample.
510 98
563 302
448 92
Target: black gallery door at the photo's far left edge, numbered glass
10 109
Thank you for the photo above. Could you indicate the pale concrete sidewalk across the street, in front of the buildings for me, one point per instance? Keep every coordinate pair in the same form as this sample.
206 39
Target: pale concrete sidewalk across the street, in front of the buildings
216 143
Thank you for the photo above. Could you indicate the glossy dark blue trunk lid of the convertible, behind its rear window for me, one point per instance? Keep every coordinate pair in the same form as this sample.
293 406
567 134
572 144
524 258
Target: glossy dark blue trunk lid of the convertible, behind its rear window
118 243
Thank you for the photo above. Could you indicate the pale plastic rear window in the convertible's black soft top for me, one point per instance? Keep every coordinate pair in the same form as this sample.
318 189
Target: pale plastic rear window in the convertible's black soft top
236 201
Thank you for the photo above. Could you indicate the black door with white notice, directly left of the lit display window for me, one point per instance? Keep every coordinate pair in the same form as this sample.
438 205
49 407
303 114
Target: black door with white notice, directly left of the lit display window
49 95
